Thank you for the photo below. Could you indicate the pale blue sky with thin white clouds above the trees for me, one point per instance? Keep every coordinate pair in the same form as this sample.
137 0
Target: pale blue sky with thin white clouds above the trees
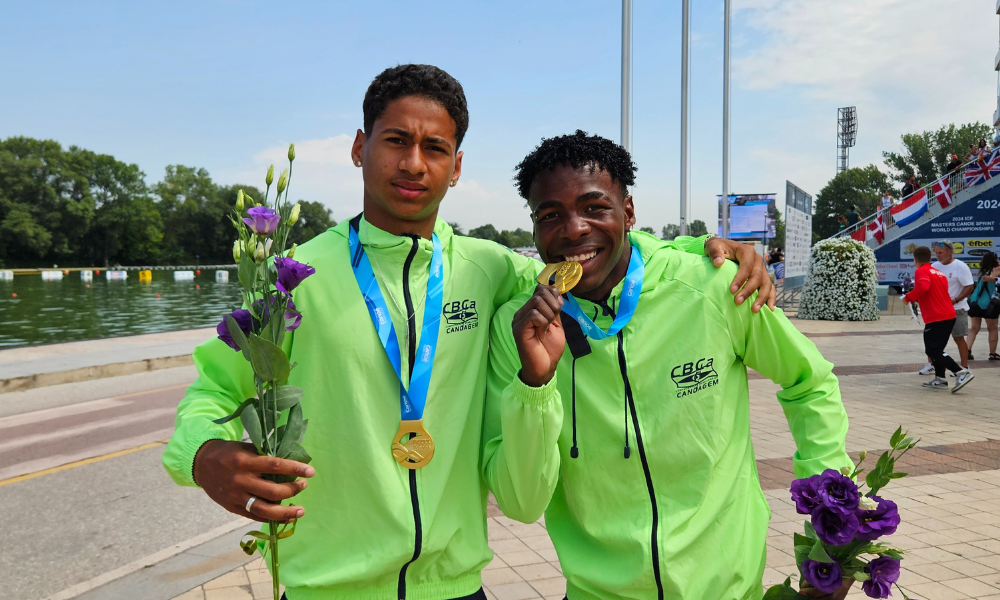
227 84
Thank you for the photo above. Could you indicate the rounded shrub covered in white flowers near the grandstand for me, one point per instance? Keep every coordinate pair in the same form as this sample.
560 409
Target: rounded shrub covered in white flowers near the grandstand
841 282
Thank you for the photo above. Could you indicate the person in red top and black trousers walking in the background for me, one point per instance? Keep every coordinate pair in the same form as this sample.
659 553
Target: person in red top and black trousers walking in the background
930 291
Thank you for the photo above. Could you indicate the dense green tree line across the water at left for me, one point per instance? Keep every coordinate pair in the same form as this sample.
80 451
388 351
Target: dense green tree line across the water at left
75 207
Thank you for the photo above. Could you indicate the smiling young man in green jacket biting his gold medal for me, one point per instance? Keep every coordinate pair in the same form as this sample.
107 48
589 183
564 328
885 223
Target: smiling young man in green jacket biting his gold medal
652 477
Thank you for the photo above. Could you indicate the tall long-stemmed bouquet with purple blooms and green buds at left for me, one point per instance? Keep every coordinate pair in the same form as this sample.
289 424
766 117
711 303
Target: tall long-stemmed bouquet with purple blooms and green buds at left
268 274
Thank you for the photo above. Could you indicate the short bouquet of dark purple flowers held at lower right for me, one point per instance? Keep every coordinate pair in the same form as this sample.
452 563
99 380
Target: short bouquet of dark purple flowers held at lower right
842 541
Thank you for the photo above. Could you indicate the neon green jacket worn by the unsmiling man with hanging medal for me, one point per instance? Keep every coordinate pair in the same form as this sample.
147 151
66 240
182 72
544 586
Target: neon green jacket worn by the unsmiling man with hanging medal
374 530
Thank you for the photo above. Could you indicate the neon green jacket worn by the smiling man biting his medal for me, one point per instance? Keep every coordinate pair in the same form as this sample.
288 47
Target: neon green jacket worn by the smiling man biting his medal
662 499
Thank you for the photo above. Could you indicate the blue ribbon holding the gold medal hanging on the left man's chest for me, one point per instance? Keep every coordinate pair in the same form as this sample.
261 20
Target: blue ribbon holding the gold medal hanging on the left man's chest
412 401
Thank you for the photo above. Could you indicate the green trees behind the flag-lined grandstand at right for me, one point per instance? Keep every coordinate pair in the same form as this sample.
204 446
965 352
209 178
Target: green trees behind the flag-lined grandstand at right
924 155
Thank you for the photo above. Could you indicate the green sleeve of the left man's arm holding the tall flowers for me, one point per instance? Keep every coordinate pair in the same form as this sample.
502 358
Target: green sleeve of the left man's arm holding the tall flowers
225 379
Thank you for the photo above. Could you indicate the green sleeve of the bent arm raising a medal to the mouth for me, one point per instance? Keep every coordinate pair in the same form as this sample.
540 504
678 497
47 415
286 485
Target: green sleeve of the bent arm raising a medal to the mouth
521 425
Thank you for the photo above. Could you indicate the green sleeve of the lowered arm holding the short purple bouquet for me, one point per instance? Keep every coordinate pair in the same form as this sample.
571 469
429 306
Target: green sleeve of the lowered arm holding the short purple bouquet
810 392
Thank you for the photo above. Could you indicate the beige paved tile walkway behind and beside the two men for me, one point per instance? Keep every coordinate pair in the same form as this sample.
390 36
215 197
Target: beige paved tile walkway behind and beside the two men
951 520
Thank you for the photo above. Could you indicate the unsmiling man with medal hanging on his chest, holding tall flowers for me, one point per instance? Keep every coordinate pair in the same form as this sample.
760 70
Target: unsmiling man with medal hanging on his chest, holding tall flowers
379 527
